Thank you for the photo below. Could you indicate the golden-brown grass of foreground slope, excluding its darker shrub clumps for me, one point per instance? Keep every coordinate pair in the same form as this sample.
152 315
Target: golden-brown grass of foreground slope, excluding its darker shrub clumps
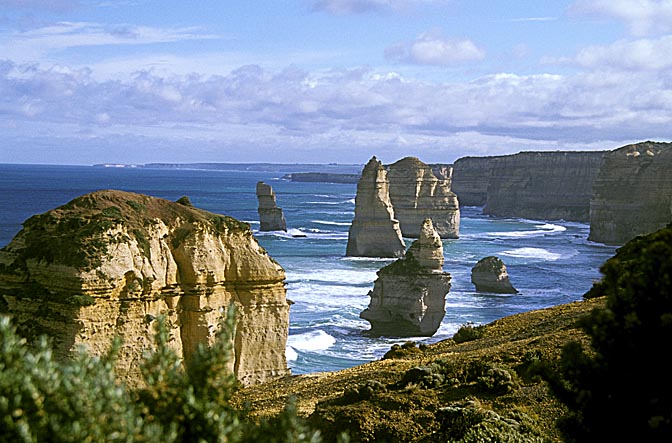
508 343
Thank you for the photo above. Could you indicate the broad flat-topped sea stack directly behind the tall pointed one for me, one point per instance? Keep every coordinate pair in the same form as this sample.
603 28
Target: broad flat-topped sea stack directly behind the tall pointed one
416 194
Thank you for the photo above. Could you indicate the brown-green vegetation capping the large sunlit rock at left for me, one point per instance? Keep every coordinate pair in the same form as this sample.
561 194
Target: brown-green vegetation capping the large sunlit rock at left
77 233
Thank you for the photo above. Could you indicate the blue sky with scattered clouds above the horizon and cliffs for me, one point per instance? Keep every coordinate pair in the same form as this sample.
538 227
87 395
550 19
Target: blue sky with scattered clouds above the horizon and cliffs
317 81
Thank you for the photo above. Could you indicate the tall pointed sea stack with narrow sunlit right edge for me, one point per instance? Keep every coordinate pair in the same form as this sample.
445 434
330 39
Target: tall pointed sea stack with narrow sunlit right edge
374 231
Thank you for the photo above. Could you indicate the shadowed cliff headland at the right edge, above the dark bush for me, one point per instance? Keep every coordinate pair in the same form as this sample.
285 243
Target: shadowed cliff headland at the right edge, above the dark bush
633 193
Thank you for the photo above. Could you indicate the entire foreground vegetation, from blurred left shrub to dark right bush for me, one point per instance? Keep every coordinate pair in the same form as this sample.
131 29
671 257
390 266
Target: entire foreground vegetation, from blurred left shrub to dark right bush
588 370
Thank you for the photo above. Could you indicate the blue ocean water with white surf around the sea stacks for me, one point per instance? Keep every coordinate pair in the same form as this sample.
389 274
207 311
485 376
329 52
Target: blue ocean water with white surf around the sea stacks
550 263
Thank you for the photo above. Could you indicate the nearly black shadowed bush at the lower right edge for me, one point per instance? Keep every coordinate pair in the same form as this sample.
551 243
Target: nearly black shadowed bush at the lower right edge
621 389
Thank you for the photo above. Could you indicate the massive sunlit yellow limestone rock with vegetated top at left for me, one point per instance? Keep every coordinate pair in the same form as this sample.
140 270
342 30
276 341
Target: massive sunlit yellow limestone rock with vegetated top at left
109 263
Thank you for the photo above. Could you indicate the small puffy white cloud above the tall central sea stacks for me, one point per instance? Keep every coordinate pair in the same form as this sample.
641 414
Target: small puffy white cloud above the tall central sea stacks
431 49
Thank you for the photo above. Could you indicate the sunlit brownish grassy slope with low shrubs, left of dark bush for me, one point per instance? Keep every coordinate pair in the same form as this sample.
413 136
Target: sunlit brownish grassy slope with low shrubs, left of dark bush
400 396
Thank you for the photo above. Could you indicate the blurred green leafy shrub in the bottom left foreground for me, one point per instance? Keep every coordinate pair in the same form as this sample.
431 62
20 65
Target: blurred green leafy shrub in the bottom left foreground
43 399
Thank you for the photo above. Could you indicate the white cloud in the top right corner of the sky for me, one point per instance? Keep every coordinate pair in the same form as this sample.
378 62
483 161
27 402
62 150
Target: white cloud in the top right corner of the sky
642 17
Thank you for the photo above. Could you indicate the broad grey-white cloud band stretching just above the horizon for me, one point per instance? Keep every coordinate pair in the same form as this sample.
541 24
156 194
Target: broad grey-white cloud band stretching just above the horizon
352 112
